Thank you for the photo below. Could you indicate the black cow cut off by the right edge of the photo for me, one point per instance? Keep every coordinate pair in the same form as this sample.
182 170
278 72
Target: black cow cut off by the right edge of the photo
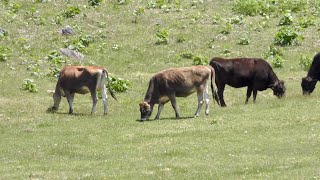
309 82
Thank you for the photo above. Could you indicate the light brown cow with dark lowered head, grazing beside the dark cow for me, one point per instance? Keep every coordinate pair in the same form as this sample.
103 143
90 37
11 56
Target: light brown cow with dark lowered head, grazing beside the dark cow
178 82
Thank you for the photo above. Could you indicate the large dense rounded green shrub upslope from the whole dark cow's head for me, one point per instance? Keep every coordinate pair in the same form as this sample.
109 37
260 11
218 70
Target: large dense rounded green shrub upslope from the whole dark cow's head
287 36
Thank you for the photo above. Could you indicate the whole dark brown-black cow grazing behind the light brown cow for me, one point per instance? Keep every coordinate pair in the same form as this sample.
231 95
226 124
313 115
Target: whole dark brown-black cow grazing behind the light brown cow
254 73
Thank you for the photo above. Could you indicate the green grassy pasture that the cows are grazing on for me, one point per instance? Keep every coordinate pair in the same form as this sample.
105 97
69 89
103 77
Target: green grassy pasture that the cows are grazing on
271 139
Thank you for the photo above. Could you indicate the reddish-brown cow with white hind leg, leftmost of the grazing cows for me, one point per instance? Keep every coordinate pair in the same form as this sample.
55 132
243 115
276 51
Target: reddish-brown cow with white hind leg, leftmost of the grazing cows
81 80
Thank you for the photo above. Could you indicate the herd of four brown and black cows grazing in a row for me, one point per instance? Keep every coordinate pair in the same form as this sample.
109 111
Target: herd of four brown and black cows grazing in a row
253 73
